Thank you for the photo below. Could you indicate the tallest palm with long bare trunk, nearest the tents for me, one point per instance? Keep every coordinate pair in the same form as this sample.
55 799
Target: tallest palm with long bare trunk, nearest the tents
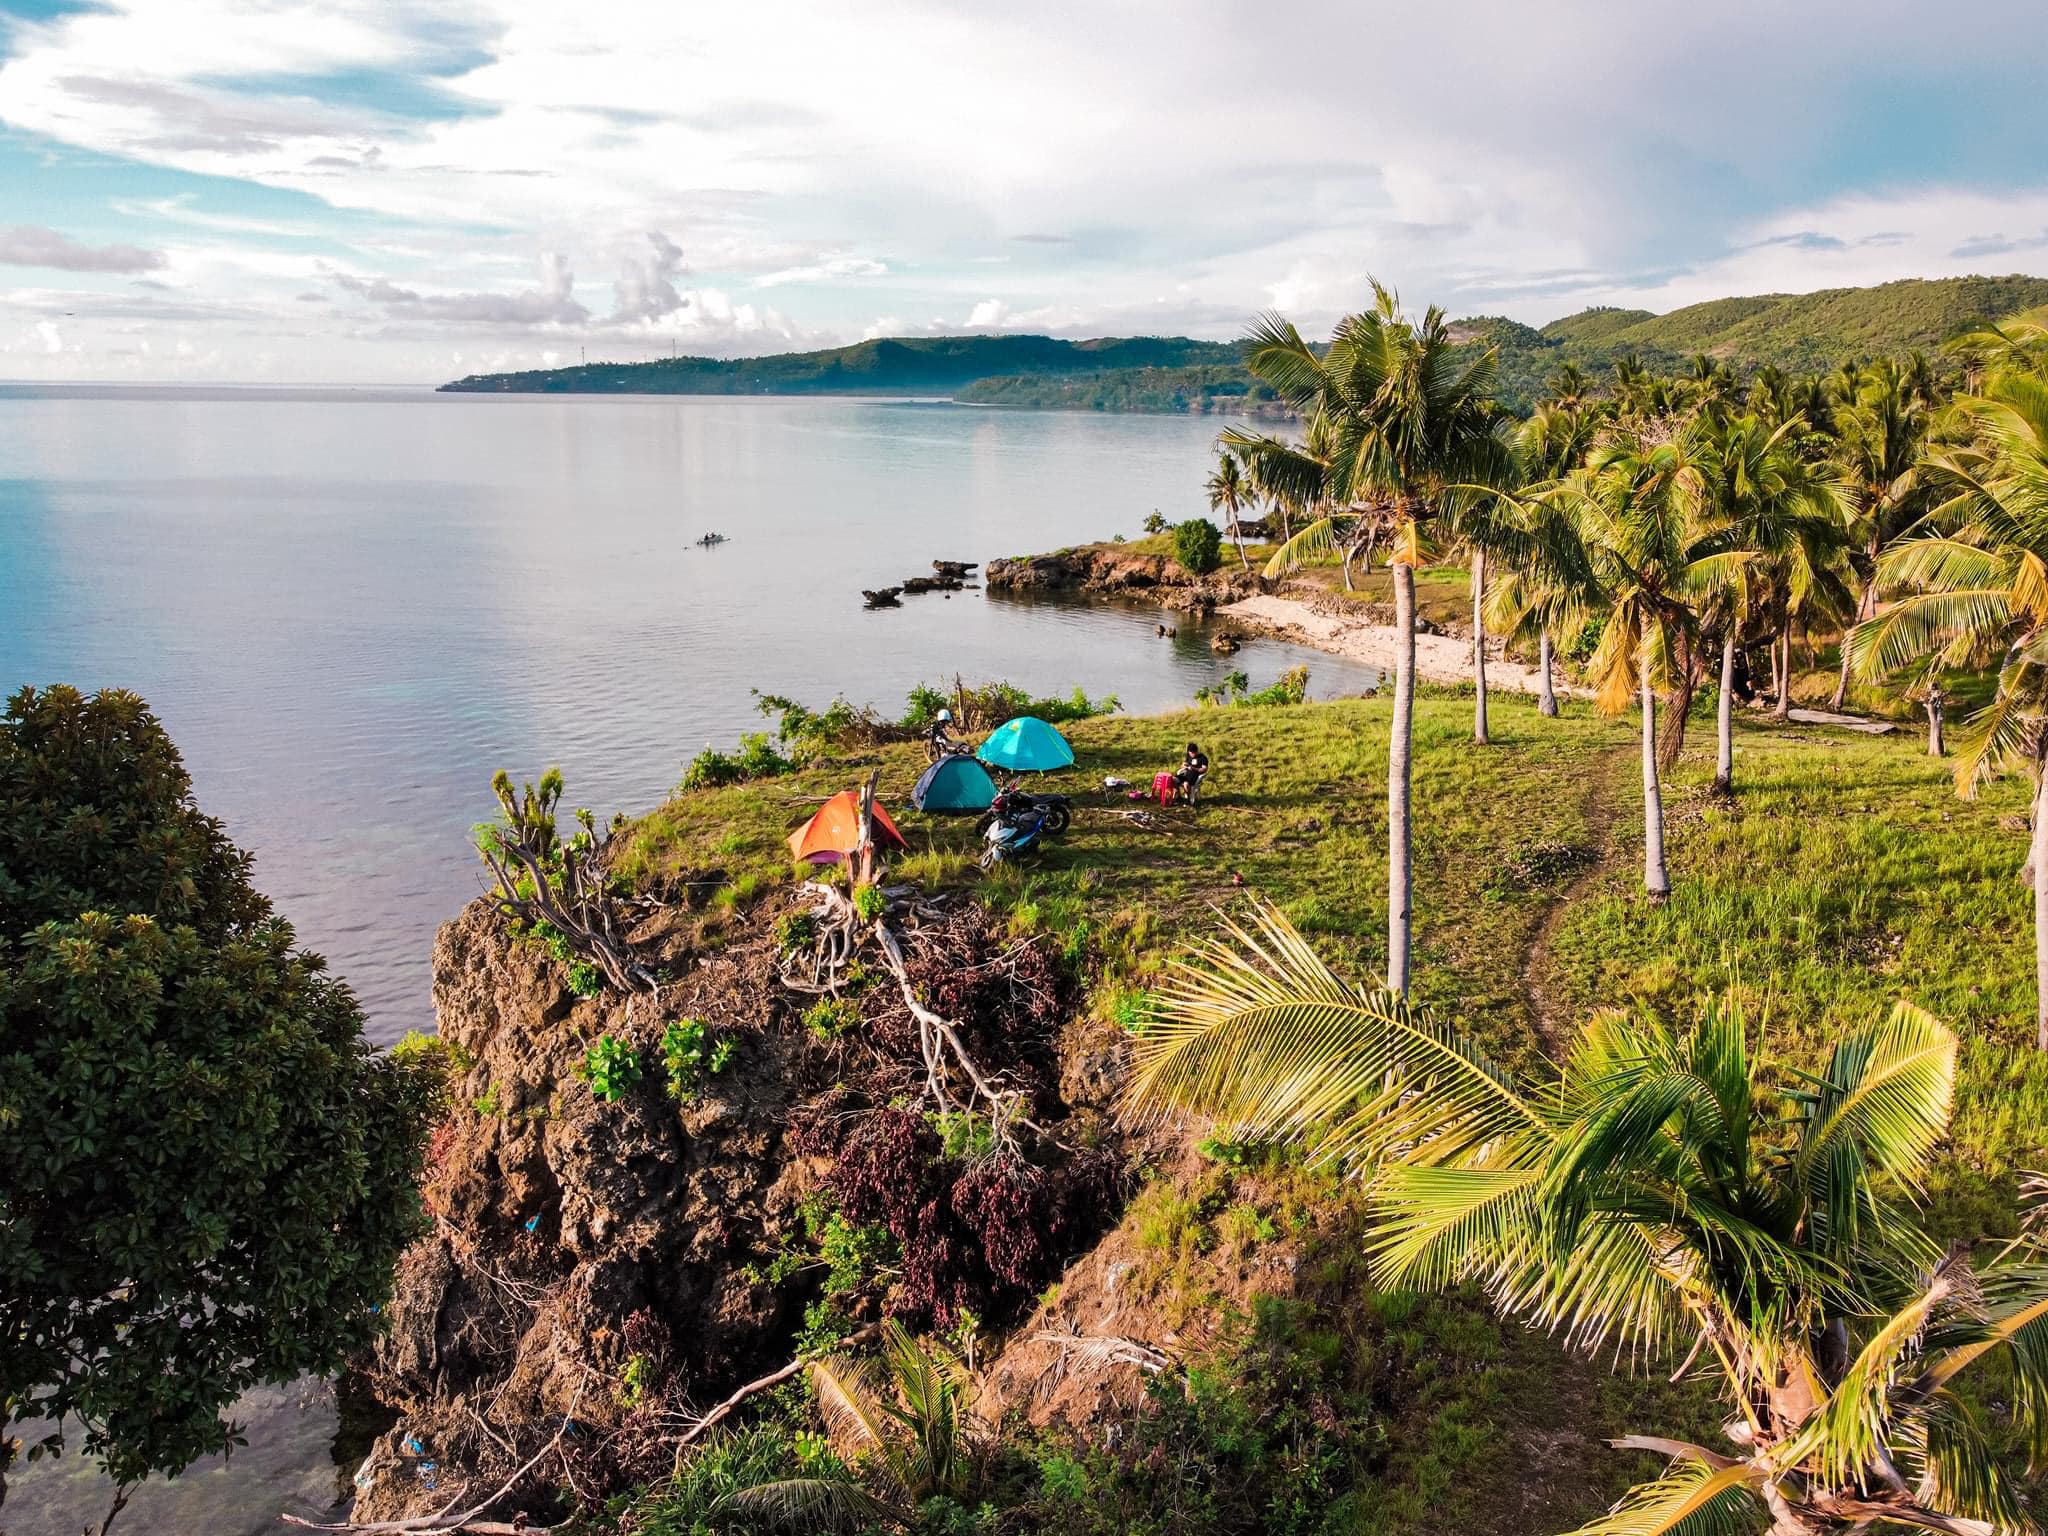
1408 419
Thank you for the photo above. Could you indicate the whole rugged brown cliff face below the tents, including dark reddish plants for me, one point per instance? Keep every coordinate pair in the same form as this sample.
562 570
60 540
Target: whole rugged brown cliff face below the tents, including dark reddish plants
609 1263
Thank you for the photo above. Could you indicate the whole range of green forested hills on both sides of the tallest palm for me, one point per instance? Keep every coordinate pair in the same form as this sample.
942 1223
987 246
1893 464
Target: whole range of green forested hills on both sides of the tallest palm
1799 333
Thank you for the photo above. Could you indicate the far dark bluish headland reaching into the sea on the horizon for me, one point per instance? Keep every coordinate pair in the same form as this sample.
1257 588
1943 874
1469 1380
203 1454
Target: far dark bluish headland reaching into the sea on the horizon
914 366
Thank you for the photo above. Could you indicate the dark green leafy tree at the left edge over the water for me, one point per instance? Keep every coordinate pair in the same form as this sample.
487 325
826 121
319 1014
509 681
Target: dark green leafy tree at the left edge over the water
208 1175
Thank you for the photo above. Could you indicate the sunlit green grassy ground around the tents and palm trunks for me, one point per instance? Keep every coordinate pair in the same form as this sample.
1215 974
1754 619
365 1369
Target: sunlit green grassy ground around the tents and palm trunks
1844 876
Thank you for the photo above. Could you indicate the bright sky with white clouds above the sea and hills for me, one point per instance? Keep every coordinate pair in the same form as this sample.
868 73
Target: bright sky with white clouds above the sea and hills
404 194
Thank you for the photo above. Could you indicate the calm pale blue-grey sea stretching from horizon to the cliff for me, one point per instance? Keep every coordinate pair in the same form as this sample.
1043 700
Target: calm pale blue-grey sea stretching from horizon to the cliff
353 607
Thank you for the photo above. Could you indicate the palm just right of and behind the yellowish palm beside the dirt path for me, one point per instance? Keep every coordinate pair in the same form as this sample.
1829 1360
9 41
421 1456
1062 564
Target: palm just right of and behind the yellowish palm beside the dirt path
1775 521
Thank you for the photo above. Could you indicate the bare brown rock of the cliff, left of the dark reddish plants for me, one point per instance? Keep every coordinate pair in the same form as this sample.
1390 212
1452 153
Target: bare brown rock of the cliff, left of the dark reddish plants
572 1234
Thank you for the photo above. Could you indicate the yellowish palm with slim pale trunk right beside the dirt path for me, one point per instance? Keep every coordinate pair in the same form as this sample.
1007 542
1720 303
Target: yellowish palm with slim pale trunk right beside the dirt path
1631 511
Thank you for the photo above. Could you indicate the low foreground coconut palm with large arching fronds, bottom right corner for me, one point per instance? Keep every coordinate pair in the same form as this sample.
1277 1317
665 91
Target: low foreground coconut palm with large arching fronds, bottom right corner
1656 1193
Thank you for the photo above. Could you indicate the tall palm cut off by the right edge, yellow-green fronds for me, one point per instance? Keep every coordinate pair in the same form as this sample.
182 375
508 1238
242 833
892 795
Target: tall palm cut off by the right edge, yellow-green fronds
1977 593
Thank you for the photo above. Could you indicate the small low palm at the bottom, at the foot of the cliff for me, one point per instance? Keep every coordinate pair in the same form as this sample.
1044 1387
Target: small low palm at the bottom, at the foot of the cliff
906 1418
